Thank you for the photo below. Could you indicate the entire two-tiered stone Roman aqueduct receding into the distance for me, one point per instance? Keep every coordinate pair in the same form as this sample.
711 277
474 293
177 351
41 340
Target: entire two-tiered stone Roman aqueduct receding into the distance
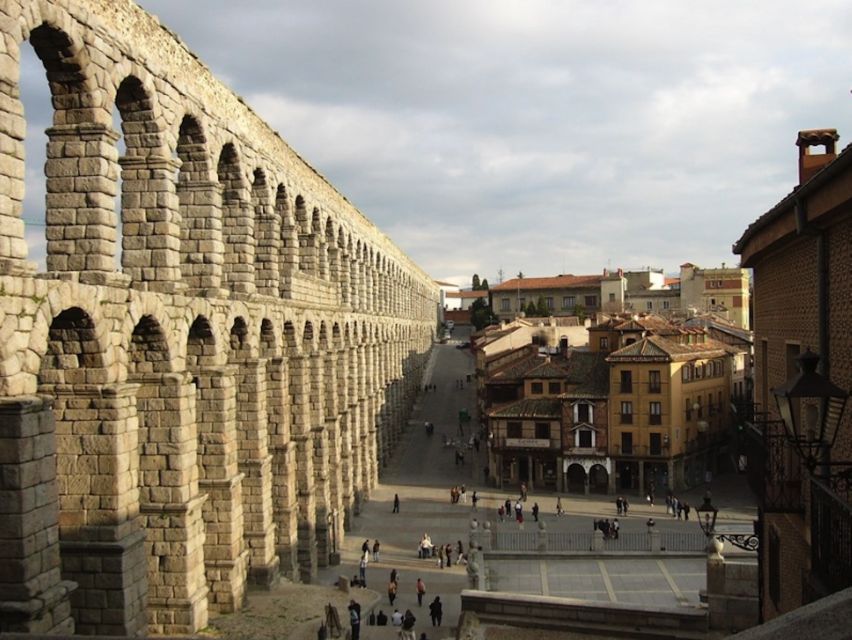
210 414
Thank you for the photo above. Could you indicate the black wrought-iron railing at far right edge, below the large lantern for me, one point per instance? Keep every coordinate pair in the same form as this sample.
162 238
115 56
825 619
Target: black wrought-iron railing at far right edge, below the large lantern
831 533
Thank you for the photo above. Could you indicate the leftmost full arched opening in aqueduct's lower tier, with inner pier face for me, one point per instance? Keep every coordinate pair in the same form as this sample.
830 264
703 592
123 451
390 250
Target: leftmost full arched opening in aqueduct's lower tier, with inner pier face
96 471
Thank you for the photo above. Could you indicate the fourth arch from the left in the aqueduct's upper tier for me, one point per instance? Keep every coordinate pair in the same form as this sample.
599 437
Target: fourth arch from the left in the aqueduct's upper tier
237 222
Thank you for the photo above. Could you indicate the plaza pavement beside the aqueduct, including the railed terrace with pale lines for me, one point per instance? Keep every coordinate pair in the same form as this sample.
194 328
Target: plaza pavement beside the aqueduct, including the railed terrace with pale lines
421 472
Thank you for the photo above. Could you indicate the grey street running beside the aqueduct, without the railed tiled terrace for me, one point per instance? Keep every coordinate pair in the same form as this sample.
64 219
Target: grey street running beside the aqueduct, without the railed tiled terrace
422 470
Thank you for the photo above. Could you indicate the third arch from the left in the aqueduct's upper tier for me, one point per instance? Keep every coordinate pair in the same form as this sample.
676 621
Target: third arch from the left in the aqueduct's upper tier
200 202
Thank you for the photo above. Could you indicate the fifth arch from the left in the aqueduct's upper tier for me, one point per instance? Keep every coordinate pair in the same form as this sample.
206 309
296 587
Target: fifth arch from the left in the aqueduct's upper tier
268 227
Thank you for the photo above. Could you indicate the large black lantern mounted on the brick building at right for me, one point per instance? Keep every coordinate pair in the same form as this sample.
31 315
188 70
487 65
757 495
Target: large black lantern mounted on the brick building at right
811 407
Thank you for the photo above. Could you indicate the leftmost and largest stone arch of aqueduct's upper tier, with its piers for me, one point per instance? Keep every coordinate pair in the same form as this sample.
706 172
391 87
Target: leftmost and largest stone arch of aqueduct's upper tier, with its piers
75 114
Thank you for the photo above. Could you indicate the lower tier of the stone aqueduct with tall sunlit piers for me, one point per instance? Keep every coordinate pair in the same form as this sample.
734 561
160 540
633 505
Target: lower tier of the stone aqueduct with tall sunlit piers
160 454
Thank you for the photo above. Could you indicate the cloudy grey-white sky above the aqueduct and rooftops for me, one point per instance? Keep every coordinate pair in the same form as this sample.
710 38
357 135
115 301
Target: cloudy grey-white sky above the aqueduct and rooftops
540 136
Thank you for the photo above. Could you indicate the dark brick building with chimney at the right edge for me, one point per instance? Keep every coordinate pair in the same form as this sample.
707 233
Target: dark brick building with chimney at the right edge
800 252
